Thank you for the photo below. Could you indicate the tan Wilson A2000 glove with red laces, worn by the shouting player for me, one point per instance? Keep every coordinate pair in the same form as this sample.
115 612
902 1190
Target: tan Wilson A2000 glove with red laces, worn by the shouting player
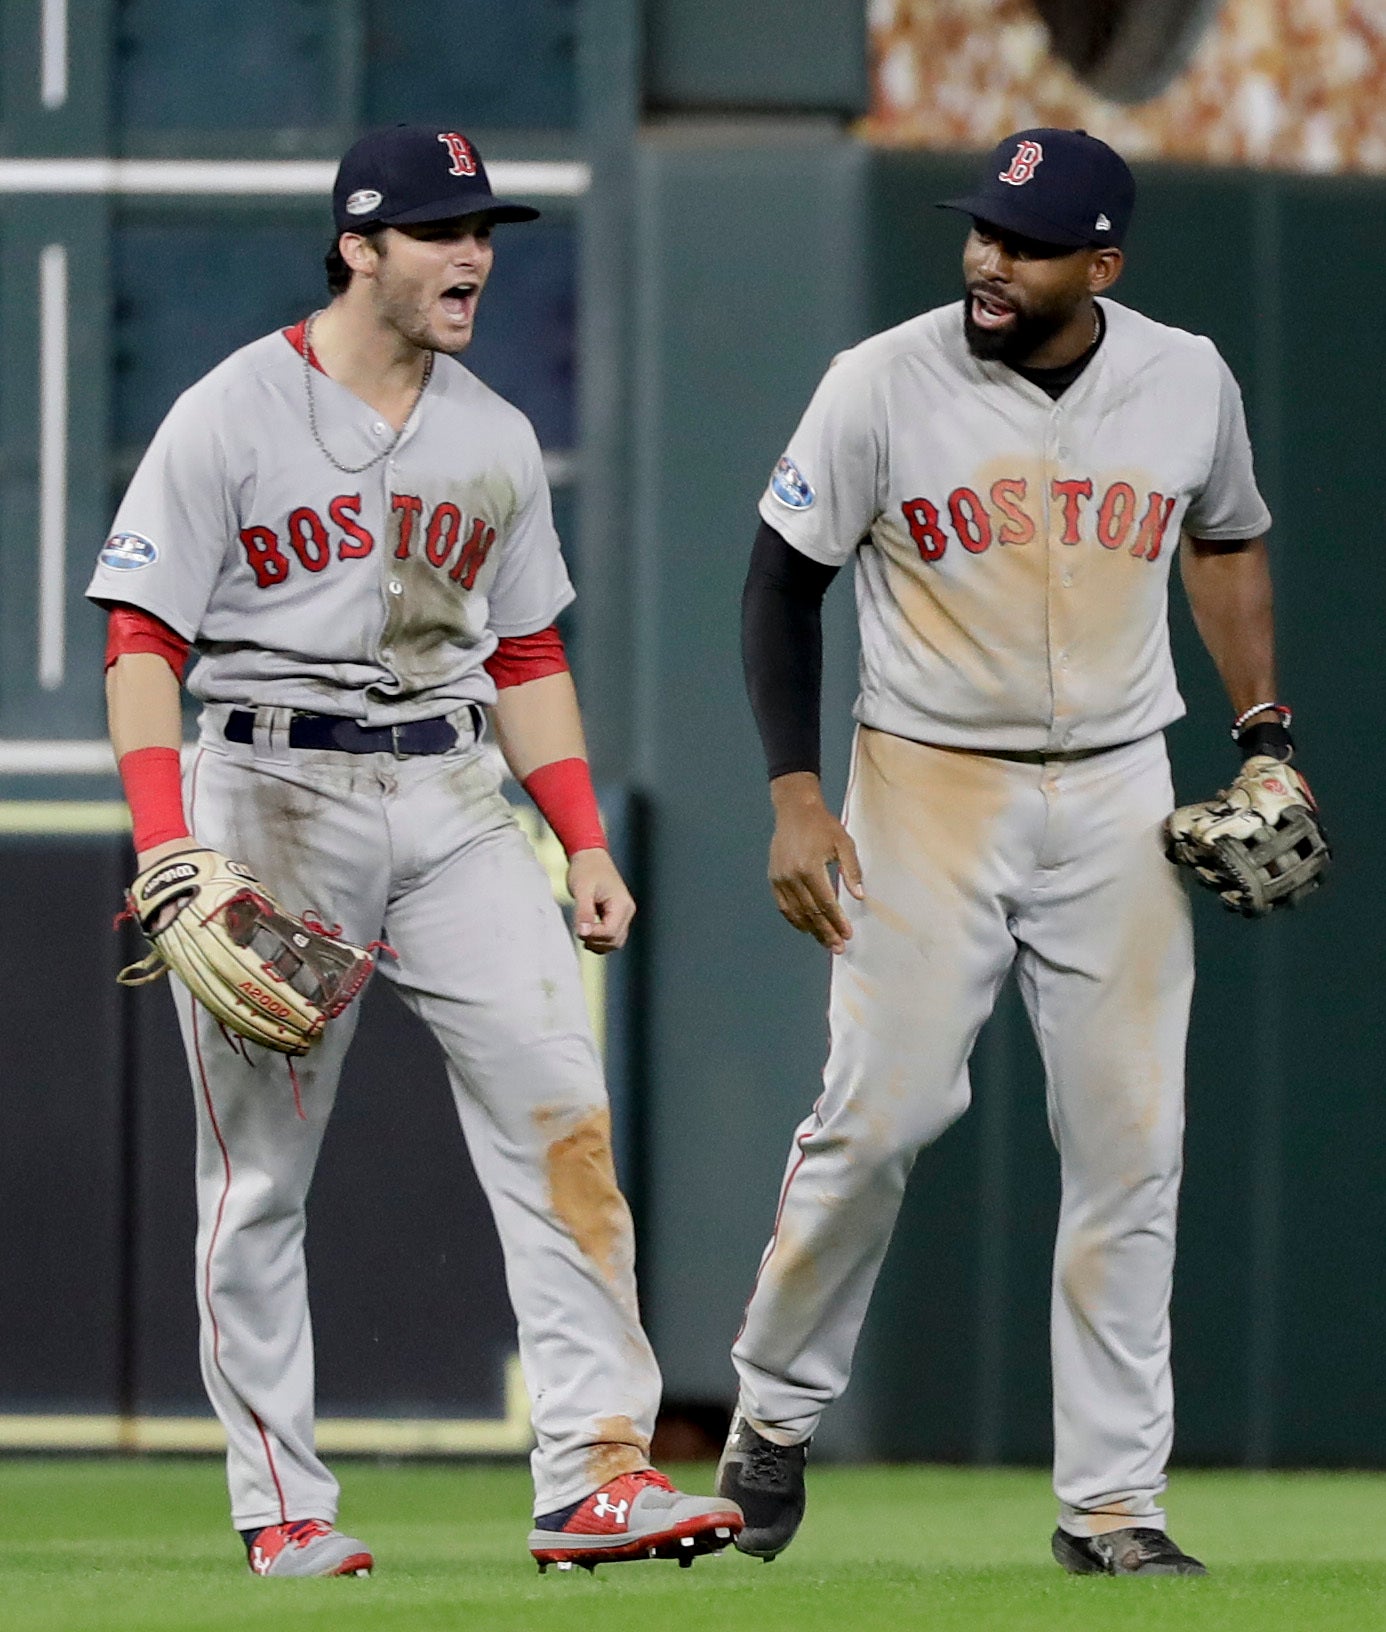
264 973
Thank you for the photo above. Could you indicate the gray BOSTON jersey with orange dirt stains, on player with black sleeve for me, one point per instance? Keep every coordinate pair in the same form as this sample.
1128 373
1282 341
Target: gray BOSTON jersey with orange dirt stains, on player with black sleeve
1013 552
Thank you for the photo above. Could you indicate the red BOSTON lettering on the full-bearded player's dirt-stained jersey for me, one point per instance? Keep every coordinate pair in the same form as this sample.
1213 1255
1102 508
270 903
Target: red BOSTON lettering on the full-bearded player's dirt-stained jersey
1121 517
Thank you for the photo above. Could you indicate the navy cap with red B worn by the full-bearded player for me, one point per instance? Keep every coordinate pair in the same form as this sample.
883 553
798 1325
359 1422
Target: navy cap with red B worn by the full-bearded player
1057 187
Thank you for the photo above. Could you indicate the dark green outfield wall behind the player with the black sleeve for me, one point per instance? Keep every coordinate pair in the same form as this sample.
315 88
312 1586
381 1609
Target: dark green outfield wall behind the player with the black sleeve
755 265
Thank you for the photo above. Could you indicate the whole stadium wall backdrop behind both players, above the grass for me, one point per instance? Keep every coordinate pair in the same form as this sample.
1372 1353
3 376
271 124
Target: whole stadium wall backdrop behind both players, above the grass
732 193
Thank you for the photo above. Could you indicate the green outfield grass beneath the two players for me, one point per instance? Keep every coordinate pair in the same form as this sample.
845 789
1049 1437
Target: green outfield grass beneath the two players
144 1546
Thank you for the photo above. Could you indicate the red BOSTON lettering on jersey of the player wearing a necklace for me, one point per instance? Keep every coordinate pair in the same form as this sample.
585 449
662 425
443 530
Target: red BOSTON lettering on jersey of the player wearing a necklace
448 539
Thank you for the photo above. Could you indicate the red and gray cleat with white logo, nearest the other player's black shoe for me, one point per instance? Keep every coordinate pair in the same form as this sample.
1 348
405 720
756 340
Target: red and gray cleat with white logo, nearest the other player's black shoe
634 1517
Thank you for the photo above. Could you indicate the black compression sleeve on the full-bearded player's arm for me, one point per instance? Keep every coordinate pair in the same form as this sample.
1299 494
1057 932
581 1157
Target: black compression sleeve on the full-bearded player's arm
783 650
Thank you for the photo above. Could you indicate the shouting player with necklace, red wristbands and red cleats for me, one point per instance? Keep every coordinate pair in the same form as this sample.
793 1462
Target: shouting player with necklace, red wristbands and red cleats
355 538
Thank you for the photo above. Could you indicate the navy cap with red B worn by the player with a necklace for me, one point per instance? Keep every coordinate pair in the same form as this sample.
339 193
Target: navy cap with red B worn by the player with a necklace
414 174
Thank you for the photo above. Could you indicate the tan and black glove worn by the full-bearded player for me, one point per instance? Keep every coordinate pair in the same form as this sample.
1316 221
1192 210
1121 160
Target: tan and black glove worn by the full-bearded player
1258 845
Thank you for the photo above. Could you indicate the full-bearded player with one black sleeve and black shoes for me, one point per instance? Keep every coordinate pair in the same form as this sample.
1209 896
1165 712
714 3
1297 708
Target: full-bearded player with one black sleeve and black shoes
1013 476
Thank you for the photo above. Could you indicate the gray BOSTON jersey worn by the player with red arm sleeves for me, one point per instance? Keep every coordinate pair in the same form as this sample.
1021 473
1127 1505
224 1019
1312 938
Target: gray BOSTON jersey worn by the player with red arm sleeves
378 595
